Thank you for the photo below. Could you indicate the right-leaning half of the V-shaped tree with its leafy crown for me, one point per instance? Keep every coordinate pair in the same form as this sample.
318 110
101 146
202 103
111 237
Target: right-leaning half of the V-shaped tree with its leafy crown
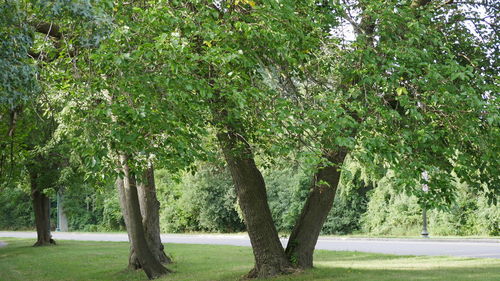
397 98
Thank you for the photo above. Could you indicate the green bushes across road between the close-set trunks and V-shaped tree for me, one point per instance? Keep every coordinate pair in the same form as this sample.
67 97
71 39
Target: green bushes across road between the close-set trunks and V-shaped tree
205 201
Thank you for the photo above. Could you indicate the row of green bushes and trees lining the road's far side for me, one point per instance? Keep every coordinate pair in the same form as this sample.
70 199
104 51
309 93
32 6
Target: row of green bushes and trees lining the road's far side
205 201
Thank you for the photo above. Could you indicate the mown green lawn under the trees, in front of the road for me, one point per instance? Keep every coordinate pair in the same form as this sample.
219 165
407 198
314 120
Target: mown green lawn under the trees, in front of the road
78 260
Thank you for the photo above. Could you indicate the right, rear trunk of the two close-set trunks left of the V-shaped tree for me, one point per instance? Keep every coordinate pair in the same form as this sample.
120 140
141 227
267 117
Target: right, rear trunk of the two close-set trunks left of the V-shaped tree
150 211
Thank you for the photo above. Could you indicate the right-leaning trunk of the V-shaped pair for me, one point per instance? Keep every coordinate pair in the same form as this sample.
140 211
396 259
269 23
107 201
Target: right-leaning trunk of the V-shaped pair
305 234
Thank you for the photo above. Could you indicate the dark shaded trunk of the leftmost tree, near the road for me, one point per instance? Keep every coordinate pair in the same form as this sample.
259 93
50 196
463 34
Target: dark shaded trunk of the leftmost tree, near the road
41 207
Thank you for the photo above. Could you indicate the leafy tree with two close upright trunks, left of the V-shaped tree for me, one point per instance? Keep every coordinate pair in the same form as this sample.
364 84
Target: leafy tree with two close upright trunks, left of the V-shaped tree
125 116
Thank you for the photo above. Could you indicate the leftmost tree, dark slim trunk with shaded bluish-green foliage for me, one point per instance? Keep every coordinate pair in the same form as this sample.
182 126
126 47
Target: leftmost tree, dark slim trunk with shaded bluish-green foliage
26 144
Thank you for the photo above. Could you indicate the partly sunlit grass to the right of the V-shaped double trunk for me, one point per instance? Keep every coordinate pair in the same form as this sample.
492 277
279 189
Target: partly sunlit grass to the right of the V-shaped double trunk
369 266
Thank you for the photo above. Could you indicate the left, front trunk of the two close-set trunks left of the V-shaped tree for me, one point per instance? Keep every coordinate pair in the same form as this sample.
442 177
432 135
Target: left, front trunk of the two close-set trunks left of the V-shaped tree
152 267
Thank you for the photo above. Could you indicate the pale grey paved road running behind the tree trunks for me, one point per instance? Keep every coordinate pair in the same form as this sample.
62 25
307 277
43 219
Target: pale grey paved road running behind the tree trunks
487 248
